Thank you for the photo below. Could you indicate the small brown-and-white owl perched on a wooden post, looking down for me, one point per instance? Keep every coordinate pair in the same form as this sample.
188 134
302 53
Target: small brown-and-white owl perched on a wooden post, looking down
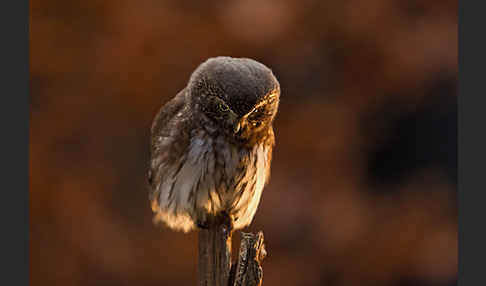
211 145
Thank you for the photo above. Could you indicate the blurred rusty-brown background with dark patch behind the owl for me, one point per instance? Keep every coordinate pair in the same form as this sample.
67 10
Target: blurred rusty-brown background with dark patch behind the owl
363 188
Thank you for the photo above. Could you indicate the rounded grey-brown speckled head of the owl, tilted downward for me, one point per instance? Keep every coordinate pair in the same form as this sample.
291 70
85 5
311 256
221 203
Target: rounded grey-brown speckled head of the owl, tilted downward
239 96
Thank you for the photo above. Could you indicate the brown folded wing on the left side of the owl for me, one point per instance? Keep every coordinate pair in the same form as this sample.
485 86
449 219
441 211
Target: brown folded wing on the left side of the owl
170 137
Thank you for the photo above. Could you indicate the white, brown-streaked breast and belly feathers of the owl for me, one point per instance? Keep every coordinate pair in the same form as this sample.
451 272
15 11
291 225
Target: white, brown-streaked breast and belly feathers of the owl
178 211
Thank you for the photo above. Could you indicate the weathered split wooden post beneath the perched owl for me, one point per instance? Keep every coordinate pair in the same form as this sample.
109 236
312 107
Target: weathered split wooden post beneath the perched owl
215 267
